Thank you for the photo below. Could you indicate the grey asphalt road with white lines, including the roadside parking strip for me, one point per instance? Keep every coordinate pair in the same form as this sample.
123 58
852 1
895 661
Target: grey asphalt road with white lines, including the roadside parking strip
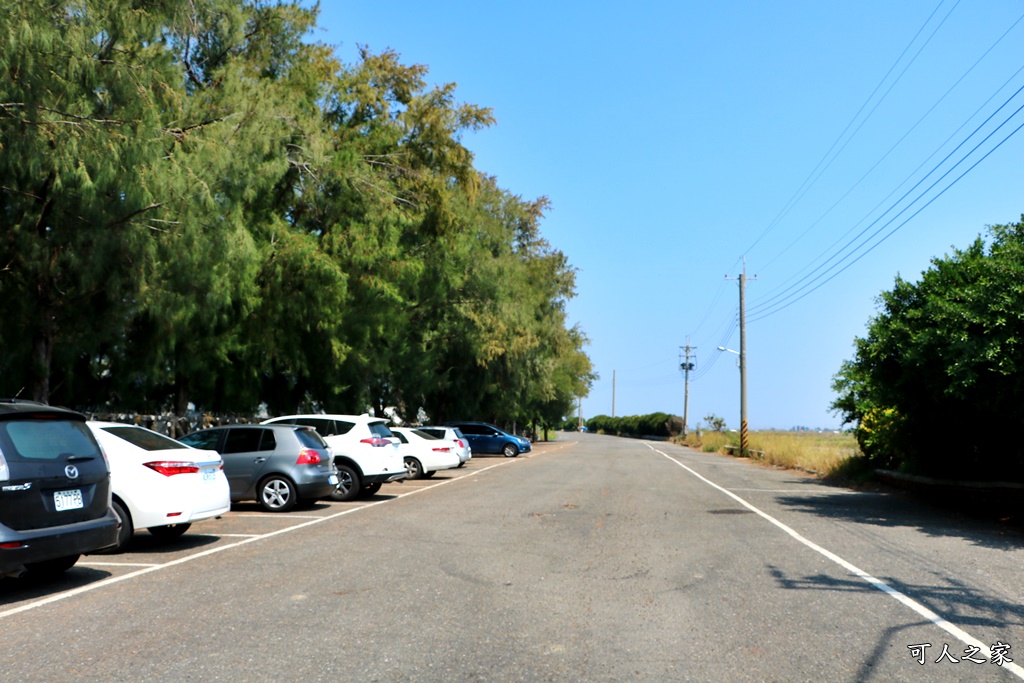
593 559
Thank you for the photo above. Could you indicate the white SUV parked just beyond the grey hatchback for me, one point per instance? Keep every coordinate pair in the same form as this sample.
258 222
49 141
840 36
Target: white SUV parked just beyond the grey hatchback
366 452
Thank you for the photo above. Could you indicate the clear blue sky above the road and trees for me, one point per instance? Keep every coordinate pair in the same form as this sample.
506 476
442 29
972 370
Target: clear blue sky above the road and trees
679 140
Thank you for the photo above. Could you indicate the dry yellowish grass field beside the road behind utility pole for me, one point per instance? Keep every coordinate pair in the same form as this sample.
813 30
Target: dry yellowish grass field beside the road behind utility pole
826 454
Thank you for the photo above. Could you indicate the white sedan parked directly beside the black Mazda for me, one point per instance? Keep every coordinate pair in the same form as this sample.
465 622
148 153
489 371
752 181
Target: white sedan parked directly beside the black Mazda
158 484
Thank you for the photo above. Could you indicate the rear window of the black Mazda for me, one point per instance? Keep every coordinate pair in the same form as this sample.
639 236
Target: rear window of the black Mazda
47 440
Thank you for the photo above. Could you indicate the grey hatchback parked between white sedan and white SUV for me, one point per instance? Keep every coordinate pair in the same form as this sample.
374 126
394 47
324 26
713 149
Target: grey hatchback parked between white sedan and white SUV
279 466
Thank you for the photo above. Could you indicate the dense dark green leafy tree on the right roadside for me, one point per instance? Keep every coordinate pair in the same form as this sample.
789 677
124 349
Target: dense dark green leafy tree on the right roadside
945 352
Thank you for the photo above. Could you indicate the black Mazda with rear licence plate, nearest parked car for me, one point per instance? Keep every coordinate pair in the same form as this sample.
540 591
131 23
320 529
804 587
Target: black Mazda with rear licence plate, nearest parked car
55 491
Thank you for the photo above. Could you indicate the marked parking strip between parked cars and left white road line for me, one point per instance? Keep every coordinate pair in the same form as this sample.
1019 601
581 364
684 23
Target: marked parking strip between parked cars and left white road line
244 525
